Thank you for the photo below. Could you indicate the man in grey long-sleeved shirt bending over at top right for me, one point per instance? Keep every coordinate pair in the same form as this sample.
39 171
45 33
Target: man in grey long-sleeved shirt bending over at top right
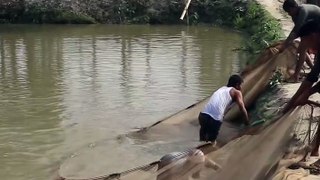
300 14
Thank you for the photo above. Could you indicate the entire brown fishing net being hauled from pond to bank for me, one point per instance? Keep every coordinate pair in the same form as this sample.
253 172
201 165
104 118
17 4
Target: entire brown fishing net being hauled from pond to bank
251 153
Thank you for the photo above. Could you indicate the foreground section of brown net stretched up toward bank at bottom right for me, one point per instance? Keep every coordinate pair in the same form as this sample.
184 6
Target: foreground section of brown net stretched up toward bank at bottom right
247 157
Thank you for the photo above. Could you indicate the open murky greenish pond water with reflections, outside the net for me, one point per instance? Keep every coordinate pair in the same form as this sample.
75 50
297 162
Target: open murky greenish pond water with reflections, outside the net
64 88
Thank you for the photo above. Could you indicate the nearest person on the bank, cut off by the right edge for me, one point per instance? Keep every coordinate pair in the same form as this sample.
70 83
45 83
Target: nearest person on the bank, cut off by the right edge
310 36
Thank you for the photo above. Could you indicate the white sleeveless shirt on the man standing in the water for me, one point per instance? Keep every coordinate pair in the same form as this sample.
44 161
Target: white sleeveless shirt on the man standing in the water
218 103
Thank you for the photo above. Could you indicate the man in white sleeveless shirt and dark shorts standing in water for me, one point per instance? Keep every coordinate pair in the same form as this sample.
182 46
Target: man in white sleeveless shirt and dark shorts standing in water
211 117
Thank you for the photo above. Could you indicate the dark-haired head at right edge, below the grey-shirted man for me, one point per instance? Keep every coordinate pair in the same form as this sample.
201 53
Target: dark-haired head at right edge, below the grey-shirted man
310 35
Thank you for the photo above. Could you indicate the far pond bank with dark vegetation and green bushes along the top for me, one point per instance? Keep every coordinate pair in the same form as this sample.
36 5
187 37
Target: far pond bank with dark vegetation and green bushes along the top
244 15
